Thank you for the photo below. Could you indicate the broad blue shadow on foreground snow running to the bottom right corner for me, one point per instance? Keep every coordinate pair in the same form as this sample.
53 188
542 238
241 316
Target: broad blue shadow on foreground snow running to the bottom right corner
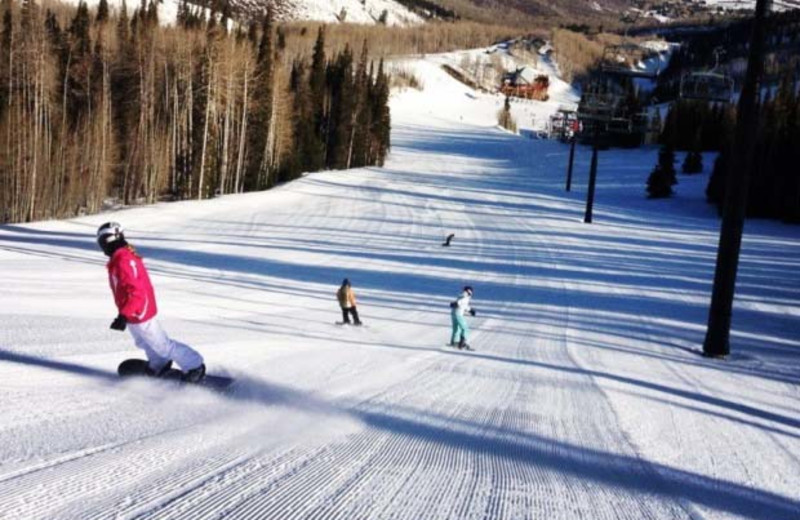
618 471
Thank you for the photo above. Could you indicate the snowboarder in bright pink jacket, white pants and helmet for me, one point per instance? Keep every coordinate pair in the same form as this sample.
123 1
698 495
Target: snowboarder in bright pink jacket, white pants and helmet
136 305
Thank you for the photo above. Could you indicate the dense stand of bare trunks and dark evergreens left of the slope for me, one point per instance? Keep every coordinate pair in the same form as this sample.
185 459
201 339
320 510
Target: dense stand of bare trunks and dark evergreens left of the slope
95 107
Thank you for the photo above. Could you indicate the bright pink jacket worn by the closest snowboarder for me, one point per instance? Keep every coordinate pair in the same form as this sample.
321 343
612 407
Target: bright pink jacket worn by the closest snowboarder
133 292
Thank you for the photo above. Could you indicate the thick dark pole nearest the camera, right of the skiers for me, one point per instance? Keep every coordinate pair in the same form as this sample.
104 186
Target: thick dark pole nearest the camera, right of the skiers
717 342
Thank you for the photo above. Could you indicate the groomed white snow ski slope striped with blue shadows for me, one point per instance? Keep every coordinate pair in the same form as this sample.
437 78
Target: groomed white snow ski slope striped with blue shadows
585 398
